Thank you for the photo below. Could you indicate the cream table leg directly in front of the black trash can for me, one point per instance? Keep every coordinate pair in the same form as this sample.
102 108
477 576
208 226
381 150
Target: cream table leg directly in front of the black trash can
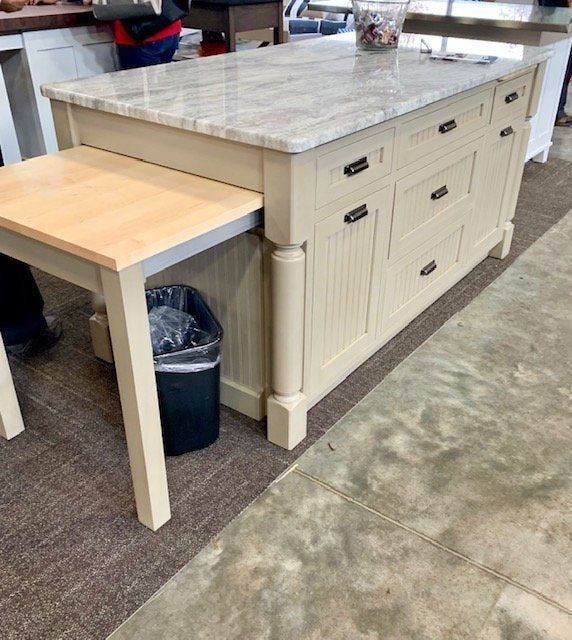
127 312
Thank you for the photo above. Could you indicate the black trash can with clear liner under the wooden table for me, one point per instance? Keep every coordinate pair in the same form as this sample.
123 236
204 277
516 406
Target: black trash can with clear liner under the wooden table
186 339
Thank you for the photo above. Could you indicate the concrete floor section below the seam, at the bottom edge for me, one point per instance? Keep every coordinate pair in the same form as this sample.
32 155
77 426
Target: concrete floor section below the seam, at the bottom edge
305 564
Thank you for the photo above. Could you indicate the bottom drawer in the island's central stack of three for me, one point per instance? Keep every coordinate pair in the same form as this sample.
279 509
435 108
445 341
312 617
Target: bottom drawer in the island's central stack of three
421 277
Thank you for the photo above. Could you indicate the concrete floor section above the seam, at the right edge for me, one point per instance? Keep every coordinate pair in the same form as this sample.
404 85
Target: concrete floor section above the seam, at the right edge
469 440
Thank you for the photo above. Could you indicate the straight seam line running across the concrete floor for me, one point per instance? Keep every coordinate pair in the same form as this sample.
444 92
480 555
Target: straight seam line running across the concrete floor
433 542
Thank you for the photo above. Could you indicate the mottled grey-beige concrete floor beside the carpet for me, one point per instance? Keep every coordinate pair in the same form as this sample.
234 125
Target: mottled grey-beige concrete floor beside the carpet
438 508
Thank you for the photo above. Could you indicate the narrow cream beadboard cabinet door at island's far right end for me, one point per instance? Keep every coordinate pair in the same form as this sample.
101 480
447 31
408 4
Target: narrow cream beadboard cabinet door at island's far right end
502 147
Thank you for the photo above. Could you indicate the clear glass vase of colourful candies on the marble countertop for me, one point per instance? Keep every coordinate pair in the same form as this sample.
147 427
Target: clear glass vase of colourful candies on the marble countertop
378 24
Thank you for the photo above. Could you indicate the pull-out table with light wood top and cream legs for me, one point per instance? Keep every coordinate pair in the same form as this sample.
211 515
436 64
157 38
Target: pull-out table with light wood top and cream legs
104 222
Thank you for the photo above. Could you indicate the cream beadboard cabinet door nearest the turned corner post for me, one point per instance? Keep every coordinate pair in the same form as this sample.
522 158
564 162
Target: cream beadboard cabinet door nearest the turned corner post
348 254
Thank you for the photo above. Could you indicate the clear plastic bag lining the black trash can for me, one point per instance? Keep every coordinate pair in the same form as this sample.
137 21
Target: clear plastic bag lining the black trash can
185 335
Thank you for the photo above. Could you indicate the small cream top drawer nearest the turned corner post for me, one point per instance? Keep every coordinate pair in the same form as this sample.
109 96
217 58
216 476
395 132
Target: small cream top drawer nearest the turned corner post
356 165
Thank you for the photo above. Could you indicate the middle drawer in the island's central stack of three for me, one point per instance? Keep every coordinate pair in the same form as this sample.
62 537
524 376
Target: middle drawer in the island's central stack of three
426 200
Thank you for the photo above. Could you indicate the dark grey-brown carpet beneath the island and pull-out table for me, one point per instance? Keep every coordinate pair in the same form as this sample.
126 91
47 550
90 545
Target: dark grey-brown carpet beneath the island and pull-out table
74 562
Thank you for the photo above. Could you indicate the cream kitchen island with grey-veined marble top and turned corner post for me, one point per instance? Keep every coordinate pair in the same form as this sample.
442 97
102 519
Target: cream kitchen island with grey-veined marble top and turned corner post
386 179
